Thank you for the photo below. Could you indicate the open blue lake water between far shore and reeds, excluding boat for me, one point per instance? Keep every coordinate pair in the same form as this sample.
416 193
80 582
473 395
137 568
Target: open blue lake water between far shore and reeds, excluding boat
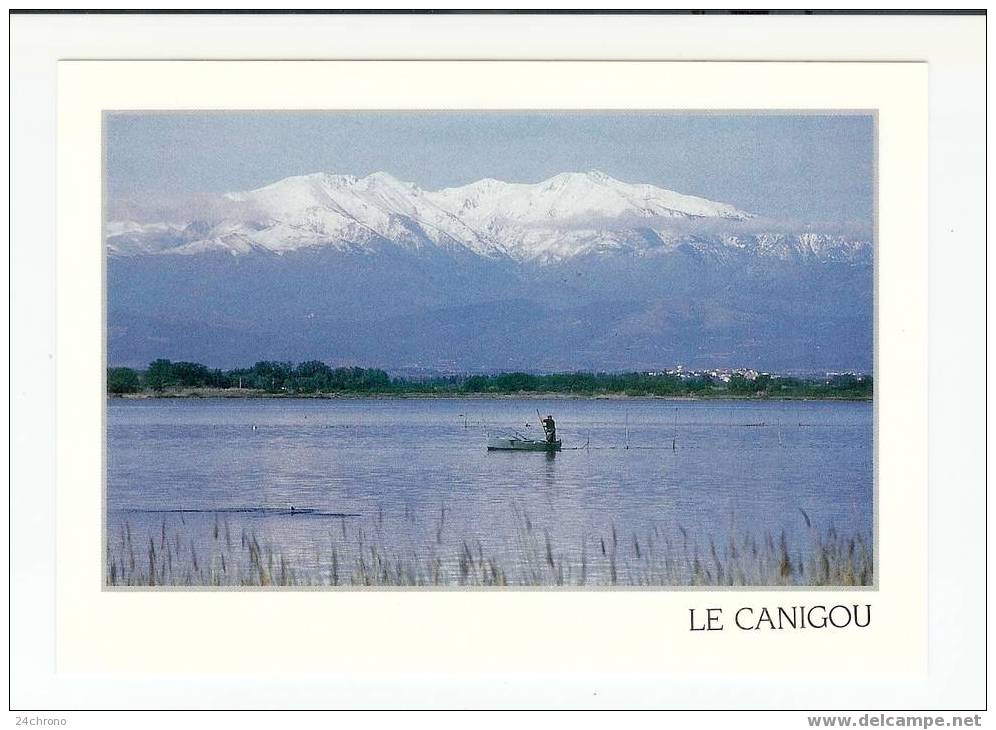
413 475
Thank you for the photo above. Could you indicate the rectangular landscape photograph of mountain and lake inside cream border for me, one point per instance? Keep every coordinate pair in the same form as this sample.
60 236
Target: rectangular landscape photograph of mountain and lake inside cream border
464 349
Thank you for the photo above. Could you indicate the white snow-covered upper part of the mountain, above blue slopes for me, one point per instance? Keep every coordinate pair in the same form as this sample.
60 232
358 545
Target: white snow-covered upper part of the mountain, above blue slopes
568 215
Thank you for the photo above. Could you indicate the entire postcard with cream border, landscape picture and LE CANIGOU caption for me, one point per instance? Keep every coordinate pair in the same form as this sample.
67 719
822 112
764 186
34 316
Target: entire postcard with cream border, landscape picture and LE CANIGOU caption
529 346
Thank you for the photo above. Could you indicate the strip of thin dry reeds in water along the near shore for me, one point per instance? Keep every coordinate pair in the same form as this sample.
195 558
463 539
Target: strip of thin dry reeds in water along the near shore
221 554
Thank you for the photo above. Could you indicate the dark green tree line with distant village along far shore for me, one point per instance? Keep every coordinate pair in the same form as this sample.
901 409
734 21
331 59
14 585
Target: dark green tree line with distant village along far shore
314 379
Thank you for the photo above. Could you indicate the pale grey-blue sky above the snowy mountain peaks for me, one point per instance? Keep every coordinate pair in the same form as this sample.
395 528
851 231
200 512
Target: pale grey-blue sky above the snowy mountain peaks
809 168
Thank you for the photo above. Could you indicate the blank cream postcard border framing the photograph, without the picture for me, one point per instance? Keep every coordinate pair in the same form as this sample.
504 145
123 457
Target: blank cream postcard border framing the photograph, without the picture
481 631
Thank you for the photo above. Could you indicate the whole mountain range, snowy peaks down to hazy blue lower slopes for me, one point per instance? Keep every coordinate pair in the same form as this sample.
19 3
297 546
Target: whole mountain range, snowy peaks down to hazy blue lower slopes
580 271
